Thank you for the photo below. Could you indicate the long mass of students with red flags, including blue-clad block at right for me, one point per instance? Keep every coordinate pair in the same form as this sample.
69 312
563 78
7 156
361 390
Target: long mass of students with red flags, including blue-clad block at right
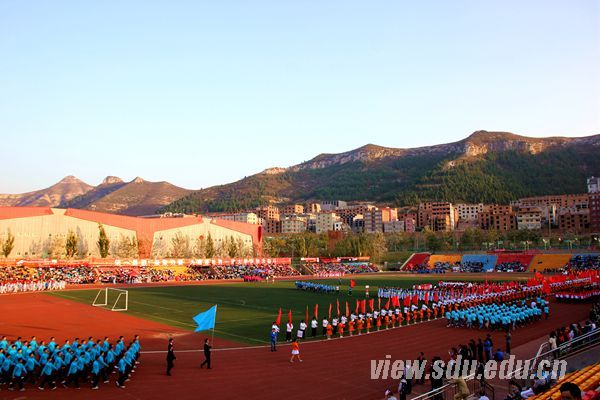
405 307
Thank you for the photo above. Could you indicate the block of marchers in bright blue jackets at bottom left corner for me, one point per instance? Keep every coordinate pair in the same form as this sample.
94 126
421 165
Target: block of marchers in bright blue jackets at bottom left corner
46 365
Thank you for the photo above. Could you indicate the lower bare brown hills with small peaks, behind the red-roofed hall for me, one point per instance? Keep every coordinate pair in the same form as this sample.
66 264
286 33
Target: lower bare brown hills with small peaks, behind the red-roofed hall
138 197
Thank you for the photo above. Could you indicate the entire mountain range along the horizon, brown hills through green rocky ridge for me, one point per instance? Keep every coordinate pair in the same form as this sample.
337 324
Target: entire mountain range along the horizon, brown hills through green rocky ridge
489 167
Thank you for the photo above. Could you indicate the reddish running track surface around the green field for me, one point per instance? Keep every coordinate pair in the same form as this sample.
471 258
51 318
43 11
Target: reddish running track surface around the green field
336 369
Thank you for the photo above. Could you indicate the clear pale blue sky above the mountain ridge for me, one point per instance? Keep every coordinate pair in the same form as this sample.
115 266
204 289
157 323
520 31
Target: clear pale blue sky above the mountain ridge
201 93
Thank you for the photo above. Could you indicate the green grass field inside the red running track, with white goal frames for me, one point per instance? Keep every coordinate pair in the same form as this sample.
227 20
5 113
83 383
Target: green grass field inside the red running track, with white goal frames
245 310
